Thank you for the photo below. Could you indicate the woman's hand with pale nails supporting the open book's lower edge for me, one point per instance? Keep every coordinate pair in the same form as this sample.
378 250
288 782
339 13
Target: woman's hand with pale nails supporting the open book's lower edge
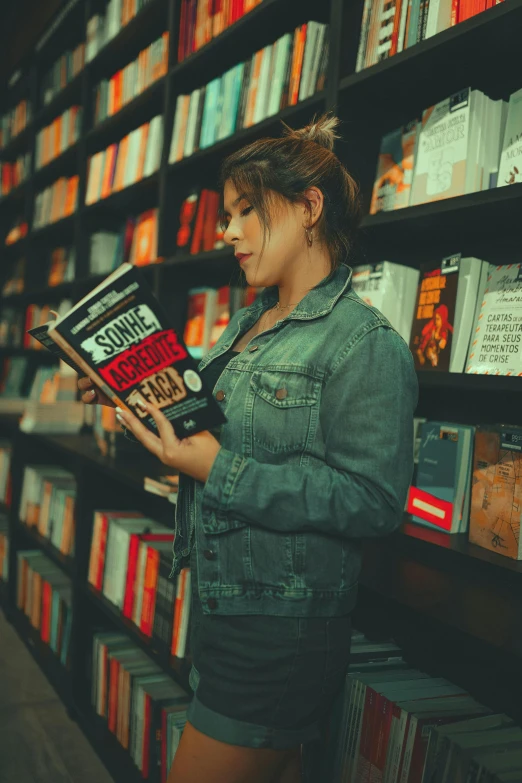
193 456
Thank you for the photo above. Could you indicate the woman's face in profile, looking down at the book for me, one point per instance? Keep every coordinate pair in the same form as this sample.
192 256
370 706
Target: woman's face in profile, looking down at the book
284 244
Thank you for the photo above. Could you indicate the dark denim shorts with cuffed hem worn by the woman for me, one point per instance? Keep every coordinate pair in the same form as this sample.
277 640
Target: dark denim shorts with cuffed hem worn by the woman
266 682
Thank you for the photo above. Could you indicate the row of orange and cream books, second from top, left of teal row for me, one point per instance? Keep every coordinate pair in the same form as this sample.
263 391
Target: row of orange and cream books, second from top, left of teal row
151 64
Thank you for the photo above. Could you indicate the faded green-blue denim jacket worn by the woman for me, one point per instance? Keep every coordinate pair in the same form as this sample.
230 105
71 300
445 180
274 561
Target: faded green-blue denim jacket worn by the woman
316 455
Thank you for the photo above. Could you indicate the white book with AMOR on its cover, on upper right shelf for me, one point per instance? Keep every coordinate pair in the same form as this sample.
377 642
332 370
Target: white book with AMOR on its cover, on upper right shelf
447 148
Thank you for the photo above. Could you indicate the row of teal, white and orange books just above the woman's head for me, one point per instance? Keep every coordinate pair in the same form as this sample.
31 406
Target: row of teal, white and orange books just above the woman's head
280 75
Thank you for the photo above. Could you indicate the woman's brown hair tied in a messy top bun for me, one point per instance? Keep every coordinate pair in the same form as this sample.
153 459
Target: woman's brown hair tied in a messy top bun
287 167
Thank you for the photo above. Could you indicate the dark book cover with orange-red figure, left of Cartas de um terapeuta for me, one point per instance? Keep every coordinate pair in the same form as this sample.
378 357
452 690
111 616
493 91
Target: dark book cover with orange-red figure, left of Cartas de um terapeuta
432 329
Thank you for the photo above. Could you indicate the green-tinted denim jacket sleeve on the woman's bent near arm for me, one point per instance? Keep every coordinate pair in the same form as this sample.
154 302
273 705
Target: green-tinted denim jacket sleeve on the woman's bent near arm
360 491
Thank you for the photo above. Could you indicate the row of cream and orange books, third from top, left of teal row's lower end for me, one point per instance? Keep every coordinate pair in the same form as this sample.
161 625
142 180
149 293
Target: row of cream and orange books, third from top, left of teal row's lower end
136 156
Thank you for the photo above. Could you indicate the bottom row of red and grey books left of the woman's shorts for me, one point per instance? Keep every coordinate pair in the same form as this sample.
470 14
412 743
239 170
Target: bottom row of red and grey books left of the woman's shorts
144 708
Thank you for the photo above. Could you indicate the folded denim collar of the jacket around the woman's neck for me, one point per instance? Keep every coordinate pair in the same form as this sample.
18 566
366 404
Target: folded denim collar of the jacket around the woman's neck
317 302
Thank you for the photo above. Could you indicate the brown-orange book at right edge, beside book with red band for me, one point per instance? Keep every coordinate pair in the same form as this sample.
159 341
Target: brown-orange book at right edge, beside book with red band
496 493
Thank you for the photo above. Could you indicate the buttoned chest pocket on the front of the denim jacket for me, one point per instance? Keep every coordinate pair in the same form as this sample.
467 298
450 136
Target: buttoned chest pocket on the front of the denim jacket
285 409
